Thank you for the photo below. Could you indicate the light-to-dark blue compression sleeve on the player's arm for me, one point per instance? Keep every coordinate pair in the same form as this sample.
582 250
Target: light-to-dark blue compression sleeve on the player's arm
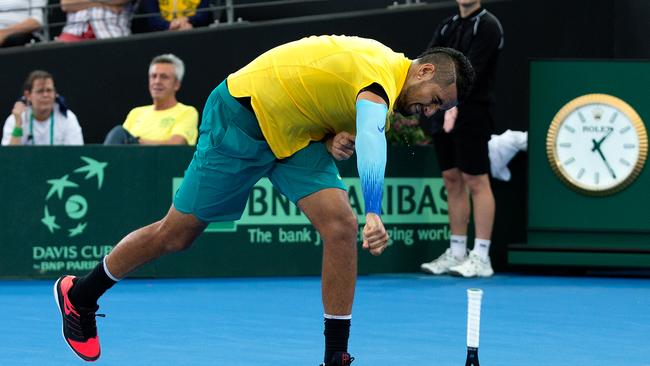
371 152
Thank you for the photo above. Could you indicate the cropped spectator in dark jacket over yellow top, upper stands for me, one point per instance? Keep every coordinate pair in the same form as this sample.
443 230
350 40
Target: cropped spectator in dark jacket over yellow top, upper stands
176 15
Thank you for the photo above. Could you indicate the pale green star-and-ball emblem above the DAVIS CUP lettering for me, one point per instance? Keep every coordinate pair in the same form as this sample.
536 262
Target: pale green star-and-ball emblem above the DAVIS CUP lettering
72 208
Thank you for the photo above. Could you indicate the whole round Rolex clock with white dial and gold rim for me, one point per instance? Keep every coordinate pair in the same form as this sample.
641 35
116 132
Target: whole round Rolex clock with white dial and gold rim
597 144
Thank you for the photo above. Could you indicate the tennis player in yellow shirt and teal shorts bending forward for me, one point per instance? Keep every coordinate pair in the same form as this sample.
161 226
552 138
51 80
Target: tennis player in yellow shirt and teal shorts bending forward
275 118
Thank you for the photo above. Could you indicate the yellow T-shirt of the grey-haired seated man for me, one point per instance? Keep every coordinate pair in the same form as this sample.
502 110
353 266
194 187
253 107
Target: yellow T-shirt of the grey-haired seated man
151 124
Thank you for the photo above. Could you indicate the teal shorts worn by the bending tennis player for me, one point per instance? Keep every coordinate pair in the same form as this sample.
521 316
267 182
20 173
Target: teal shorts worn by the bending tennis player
232 155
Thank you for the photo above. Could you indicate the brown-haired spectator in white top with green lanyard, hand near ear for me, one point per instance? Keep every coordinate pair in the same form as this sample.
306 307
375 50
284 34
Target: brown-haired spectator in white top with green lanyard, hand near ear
40 117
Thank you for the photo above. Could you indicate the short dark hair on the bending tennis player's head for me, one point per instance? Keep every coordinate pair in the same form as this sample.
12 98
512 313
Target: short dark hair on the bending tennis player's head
451 66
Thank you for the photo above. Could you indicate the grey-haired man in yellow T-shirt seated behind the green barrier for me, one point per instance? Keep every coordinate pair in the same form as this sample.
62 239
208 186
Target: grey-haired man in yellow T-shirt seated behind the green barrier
166 121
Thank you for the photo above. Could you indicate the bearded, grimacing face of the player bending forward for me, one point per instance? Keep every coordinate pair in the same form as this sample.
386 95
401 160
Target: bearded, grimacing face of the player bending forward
426 97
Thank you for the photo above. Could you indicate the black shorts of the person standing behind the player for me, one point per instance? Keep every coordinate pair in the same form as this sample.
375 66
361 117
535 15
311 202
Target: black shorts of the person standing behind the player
466 147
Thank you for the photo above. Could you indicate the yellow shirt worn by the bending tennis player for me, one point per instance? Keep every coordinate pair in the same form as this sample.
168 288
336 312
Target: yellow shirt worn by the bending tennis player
303 90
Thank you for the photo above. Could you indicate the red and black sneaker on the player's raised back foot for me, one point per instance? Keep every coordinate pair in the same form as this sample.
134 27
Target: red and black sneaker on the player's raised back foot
79 327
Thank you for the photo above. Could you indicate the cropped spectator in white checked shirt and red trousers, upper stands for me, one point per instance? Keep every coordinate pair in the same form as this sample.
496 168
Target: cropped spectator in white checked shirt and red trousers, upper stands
91 19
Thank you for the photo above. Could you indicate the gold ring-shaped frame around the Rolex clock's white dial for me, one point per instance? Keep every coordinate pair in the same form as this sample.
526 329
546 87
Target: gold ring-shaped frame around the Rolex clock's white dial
563 113
